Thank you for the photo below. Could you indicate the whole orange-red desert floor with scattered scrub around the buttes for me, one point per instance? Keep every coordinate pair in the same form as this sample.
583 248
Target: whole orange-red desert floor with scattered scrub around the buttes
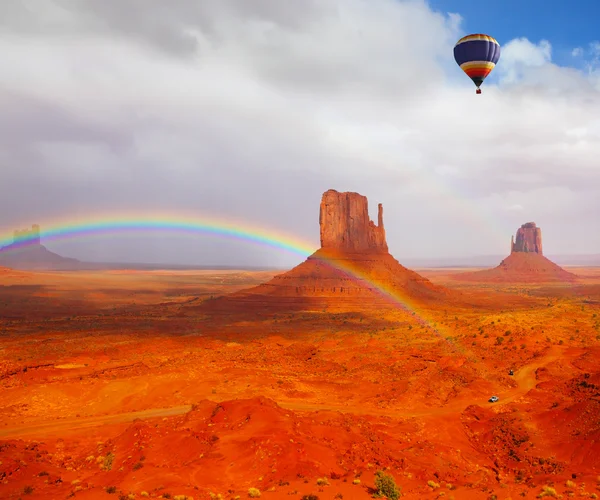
112 386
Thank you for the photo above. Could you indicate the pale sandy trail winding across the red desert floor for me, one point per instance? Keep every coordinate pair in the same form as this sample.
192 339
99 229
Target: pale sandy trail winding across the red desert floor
525 378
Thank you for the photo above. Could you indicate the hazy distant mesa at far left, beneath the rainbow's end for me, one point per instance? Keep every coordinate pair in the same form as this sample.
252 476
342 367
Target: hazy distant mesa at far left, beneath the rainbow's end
26 252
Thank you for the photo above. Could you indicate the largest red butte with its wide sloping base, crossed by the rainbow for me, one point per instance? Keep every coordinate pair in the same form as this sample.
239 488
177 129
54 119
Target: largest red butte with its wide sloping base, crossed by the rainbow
352 270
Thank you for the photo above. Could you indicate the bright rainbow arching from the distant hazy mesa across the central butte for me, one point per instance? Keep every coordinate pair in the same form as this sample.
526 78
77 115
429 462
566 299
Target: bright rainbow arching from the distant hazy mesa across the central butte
192 224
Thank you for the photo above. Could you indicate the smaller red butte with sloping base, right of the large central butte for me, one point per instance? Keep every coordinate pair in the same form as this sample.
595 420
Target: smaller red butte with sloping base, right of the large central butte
525 264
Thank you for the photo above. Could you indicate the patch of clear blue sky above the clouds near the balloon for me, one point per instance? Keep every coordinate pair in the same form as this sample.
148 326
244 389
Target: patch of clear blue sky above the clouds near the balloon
565 24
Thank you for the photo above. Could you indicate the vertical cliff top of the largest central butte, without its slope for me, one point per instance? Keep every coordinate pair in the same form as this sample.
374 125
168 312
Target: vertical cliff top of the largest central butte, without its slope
345 225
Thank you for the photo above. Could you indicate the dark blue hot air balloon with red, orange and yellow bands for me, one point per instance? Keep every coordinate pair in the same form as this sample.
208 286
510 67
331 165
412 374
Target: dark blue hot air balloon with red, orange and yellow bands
477 56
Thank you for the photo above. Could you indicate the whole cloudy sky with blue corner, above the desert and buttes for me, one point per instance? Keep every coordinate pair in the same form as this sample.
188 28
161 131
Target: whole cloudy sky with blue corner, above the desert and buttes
249 111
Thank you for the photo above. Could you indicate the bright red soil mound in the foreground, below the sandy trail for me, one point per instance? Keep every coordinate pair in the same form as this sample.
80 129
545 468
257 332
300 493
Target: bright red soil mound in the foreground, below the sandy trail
231 446
